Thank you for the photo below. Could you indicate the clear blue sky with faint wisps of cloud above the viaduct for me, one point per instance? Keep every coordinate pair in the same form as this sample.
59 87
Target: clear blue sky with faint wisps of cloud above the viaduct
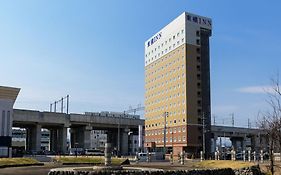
94 51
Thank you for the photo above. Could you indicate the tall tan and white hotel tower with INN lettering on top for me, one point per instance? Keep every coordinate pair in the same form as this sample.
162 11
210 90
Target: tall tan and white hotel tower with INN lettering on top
177 86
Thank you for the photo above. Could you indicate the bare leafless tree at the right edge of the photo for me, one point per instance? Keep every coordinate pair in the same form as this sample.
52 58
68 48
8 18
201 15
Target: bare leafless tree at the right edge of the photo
271 120
